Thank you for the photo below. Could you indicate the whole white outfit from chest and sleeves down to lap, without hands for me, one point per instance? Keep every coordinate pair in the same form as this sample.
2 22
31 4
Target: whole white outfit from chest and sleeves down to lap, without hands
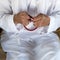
24 49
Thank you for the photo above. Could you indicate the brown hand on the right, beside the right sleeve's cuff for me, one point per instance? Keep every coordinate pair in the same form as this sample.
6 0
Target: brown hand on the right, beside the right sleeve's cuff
41 20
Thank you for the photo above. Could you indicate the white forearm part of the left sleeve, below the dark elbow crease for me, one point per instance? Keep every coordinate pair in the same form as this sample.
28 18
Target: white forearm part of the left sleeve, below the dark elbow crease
8 24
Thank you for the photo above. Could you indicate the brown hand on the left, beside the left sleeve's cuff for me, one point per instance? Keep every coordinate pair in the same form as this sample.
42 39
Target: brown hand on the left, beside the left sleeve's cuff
22 18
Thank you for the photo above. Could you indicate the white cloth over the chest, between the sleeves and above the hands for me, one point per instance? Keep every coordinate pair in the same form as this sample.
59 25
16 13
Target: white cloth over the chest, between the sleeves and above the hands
38 6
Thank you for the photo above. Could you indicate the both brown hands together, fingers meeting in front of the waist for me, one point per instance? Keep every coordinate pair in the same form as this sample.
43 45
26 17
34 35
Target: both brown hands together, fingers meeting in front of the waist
24 18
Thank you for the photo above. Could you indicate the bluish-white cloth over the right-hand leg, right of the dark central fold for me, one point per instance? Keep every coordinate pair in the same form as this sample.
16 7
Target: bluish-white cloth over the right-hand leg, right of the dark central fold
47 47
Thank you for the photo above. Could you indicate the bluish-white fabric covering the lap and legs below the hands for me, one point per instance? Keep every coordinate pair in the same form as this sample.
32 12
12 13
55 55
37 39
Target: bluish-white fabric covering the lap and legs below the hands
31 46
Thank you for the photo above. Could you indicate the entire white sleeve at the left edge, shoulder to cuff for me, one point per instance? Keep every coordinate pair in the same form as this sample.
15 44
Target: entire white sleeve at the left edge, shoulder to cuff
6 17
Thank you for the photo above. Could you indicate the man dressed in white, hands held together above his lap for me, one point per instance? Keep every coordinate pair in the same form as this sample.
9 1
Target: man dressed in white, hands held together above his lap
42 13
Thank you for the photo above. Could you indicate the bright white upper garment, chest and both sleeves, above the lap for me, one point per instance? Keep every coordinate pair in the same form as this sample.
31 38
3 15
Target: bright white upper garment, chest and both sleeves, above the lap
11 7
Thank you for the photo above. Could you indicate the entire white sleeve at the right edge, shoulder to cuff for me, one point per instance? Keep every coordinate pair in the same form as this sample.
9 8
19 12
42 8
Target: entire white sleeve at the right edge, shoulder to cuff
55 16
